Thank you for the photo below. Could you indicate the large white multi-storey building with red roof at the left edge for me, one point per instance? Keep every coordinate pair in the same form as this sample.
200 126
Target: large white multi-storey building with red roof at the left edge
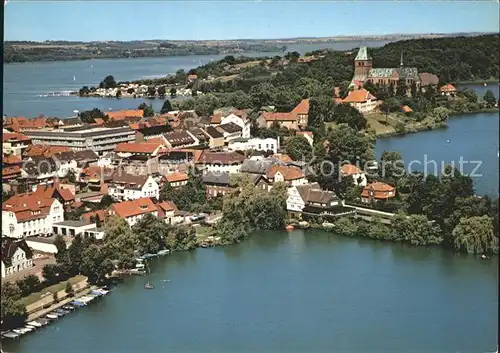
25 215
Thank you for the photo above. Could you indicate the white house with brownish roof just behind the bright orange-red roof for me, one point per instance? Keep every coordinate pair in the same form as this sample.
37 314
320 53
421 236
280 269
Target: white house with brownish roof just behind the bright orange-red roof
130 187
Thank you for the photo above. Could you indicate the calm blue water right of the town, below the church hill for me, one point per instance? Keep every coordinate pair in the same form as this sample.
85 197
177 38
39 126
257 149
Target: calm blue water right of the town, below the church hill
474 138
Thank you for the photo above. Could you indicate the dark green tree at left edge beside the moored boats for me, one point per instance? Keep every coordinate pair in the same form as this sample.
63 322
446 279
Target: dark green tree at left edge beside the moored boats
13 311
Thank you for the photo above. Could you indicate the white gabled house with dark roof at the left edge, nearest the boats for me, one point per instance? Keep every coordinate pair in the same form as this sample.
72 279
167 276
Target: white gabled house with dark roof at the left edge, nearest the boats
16 256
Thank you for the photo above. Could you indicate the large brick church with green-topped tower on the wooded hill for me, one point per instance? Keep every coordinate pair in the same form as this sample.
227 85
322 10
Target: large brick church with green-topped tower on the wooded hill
364 72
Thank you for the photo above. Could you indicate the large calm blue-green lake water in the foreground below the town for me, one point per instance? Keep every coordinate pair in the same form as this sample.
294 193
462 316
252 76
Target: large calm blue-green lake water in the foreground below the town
304 291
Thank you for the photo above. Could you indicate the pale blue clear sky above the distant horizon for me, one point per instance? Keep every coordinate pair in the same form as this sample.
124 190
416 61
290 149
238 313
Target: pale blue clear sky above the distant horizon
196 20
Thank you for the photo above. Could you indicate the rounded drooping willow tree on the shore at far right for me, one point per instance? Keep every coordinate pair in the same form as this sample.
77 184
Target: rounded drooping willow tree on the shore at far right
475 235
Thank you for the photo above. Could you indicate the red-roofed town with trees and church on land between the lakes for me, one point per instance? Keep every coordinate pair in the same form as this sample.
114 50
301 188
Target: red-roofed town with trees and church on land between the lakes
132 184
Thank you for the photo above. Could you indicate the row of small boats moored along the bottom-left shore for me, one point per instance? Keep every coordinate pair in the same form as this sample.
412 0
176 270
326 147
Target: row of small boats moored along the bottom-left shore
55 314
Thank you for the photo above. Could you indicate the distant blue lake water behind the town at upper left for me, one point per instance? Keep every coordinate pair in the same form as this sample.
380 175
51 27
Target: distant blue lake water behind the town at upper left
25 83
